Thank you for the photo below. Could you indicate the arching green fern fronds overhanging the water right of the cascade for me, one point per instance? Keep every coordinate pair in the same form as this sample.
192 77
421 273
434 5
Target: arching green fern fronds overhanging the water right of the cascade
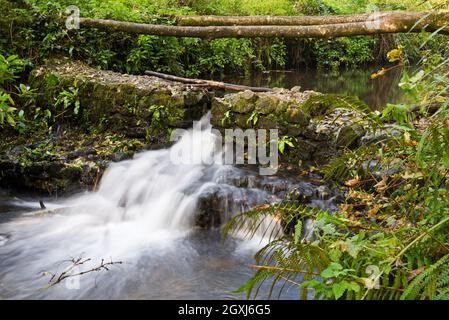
283 262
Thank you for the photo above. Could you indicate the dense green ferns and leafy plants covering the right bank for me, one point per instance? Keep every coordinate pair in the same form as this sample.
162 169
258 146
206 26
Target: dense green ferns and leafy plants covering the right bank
388 239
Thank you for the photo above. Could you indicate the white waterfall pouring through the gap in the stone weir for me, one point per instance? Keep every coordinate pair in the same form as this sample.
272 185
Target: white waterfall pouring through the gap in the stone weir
154 193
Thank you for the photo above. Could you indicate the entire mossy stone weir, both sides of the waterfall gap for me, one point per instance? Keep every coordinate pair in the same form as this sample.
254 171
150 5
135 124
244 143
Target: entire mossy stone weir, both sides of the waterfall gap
121 114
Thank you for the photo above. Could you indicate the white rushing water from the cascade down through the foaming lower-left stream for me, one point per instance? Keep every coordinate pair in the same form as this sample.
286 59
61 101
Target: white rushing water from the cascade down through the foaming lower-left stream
142 208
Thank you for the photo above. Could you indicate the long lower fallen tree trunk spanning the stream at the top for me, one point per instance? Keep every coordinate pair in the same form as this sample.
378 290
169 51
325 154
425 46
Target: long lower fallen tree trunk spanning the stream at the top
387 22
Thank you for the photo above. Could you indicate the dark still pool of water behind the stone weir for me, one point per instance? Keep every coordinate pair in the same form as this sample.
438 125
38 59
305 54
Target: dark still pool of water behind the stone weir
375 92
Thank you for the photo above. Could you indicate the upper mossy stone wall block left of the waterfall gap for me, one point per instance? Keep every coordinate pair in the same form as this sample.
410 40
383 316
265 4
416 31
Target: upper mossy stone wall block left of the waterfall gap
120 102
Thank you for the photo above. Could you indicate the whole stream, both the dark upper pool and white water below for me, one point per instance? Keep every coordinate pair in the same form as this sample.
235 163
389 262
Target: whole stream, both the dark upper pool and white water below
143 215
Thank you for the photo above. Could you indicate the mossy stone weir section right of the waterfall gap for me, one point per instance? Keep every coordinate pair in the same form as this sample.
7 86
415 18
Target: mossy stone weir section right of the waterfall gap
315 131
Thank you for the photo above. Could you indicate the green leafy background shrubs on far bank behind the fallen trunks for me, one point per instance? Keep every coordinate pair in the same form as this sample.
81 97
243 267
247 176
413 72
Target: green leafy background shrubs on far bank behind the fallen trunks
190 56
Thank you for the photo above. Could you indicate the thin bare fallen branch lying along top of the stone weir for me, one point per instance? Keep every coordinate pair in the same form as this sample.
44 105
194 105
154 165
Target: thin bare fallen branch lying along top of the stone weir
207 83
